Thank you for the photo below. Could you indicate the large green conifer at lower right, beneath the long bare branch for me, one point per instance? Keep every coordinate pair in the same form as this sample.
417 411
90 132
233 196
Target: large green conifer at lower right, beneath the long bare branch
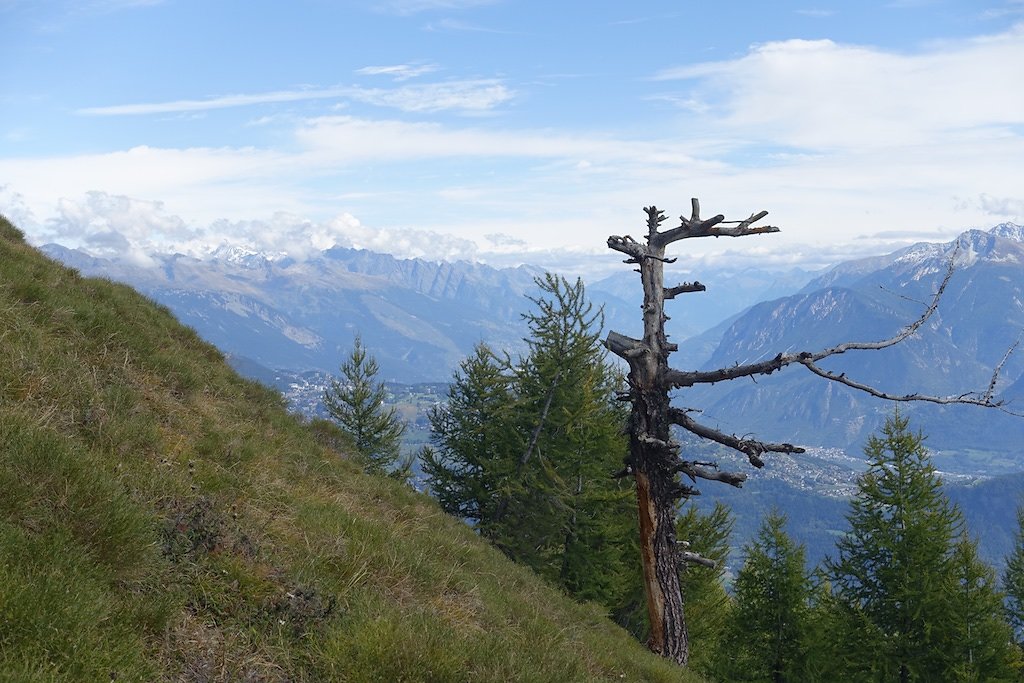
913 605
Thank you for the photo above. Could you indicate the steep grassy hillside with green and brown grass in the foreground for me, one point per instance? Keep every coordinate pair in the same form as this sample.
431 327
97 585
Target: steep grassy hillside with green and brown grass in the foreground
162 519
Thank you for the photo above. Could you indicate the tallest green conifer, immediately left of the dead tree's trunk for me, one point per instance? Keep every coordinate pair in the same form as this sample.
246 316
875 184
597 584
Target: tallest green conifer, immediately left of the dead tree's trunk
561 510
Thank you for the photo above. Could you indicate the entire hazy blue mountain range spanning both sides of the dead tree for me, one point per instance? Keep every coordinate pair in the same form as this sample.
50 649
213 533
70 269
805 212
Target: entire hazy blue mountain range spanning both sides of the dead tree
420 319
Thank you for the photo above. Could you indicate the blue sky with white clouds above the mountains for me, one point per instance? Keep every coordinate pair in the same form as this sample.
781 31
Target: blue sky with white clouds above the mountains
509 132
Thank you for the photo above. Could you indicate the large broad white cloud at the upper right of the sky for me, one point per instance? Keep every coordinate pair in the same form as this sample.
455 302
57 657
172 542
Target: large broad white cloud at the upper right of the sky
821 95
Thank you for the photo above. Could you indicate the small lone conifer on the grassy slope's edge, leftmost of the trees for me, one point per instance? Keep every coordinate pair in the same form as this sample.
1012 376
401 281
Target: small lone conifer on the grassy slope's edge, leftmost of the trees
358 406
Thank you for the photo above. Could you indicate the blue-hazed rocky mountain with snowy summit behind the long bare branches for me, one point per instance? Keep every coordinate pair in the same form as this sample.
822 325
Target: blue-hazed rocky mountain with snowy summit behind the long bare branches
980 317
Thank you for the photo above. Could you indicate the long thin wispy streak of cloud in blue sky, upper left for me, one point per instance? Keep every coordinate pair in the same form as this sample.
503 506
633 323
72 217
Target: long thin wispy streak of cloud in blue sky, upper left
470 96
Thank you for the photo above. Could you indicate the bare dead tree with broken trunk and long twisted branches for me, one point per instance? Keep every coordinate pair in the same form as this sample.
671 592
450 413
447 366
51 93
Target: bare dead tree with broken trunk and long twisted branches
655 459
